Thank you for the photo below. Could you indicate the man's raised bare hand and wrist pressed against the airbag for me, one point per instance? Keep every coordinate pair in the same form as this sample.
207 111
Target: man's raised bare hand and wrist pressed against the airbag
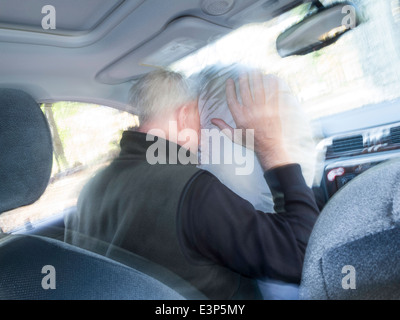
259 112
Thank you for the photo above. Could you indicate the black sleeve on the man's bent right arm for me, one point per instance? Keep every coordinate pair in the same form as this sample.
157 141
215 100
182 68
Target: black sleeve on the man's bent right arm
217 224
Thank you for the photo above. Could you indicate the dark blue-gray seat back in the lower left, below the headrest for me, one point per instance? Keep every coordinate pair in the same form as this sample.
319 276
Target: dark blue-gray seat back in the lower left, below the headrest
78 274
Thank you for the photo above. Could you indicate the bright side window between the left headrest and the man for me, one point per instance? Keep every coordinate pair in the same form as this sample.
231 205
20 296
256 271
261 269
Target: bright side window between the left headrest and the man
85 139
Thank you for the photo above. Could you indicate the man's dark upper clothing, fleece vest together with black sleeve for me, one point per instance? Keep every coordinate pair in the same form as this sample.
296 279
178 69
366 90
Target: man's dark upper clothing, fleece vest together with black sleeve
185 220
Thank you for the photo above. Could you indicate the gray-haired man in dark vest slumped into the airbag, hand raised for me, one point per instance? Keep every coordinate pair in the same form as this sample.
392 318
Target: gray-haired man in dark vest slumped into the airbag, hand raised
183 218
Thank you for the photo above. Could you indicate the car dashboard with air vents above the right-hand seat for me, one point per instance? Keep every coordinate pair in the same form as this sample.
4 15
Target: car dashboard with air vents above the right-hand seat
374 138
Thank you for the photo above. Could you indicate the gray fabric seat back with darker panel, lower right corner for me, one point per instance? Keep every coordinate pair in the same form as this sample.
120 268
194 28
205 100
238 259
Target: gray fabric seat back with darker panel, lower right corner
354 249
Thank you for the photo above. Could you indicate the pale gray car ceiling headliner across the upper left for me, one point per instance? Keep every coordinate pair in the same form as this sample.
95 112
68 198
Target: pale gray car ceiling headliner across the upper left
82 61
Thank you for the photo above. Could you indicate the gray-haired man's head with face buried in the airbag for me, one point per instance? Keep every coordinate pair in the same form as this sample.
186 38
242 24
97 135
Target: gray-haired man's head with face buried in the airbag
166 101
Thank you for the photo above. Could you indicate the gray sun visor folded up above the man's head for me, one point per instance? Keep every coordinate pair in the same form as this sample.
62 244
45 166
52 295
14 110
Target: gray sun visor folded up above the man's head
179 39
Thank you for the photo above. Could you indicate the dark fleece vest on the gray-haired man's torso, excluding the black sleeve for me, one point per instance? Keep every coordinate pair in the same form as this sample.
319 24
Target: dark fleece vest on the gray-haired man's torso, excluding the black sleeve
133 205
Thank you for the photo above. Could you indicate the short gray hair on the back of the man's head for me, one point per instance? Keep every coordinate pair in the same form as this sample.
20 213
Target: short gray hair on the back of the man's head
159 93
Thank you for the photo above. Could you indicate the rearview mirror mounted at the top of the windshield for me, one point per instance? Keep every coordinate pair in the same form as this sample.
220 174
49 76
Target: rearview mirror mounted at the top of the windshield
318 30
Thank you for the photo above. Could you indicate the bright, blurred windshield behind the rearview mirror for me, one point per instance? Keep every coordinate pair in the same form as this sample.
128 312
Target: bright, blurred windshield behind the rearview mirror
360 69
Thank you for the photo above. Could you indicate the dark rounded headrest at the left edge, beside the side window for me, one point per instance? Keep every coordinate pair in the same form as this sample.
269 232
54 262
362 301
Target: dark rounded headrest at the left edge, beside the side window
26 151
